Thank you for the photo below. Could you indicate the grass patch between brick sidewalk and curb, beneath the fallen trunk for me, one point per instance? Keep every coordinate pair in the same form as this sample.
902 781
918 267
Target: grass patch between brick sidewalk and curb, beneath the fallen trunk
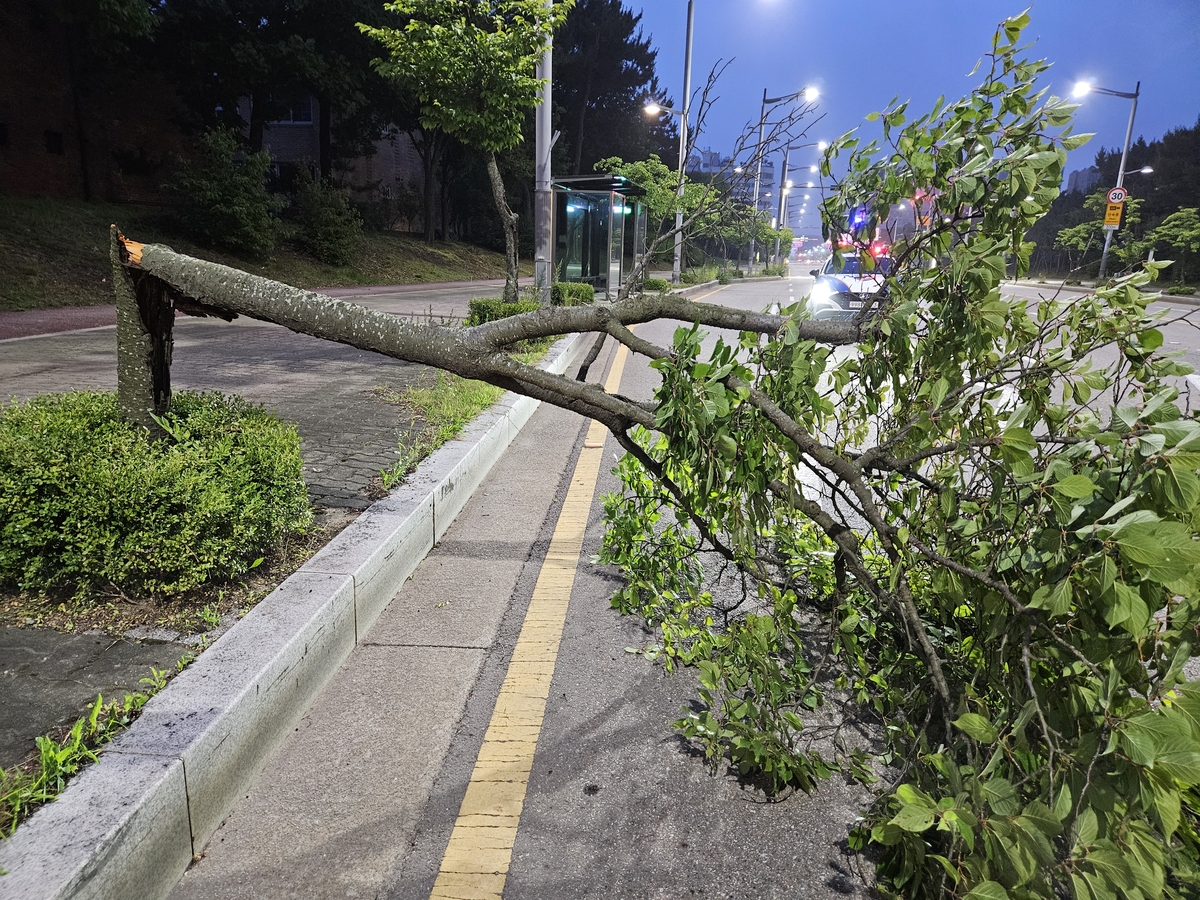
441 411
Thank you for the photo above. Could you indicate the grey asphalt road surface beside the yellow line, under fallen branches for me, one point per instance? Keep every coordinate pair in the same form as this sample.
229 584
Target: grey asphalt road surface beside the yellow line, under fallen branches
619 806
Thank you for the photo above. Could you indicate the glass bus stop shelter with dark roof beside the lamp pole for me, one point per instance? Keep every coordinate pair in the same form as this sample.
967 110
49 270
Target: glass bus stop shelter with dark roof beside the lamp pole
599 231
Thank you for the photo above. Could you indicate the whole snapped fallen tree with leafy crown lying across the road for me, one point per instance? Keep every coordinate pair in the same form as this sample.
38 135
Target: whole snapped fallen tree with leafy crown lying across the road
975 532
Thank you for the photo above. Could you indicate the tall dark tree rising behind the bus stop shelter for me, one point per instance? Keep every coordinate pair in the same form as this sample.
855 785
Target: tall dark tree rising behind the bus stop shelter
604 74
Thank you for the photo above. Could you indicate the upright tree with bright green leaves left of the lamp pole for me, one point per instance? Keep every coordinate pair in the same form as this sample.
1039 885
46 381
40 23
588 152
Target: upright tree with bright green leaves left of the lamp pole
472 65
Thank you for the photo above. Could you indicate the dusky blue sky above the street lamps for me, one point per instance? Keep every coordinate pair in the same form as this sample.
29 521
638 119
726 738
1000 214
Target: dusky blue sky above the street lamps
861 55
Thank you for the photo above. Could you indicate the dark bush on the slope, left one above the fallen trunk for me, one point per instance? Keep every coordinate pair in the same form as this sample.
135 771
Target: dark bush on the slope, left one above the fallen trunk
226 202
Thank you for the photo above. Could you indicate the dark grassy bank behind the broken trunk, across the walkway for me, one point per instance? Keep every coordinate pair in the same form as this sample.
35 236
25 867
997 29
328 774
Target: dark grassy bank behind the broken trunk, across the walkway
55 253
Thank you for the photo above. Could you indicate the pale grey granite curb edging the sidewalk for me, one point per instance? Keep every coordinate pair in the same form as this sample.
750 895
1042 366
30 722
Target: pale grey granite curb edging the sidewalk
131 824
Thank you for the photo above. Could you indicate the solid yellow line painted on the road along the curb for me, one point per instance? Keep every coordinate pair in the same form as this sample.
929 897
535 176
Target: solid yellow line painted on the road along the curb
477 860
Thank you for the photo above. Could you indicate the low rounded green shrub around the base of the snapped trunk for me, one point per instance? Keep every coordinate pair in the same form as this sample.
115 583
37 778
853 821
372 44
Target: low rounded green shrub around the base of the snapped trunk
88 502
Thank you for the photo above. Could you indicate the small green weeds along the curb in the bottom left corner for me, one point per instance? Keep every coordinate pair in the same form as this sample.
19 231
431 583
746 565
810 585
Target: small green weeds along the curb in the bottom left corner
23 791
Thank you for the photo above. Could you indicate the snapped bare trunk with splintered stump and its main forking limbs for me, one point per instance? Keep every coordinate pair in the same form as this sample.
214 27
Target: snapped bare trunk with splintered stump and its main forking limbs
155 283
